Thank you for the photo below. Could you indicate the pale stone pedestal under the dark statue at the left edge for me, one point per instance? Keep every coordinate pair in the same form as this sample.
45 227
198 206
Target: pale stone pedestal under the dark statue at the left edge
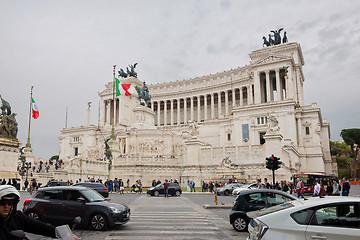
9 158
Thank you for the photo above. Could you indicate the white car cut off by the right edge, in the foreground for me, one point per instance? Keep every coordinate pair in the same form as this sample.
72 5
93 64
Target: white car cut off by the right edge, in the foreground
332 218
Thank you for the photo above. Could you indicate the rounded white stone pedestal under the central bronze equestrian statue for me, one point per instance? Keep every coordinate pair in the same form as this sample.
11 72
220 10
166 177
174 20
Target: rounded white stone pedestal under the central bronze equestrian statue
144 118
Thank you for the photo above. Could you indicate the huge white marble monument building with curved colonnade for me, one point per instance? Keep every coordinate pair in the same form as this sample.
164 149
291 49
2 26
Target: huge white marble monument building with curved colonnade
213 127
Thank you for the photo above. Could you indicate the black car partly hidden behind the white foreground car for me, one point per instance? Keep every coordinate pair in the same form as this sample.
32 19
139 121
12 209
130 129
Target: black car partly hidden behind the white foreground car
254 199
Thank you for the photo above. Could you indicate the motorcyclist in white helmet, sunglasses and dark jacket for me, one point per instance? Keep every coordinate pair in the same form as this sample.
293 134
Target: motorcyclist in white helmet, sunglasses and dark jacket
11 219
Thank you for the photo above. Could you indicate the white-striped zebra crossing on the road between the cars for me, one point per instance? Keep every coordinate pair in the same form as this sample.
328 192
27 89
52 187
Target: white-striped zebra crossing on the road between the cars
173 218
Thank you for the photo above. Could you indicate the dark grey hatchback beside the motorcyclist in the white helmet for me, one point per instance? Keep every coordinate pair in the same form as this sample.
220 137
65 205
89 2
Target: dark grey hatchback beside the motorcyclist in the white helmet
61 205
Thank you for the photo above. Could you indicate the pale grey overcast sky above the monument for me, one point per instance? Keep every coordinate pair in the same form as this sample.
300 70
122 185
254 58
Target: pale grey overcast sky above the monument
67 49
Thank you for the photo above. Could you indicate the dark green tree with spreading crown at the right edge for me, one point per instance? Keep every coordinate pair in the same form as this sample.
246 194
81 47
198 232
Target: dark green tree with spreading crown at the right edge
352 138
